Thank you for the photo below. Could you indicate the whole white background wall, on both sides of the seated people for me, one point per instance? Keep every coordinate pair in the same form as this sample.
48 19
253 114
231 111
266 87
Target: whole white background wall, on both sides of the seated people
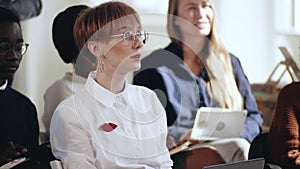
247 28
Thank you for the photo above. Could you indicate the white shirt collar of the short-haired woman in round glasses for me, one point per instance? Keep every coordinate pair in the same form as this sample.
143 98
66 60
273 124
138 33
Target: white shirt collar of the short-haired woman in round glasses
102 95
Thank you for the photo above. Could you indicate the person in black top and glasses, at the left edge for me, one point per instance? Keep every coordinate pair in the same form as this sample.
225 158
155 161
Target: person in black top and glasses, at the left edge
18 122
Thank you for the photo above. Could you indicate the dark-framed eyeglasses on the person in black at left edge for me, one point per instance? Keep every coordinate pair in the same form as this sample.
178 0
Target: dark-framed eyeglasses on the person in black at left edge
20 48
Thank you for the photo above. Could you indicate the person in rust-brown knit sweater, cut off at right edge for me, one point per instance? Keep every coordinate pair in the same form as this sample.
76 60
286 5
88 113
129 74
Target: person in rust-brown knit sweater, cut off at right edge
283 137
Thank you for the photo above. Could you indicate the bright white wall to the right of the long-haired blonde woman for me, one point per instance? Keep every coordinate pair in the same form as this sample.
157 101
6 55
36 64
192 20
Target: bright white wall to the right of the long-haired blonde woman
253 31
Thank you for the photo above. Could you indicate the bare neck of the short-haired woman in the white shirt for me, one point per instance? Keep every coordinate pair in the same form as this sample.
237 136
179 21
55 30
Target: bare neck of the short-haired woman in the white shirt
112 82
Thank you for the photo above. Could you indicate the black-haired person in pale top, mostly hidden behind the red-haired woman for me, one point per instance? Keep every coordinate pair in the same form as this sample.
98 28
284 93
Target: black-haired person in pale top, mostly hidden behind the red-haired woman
62 35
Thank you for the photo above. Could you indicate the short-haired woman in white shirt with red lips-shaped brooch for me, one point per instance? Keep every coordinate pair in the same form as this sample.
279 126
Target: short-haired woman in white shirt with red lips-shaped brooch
110 123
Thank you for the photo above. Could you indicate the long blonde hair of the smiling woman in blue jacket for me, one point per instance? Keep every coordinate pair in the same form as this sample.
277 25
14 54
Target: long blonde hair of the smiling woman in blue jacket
222 86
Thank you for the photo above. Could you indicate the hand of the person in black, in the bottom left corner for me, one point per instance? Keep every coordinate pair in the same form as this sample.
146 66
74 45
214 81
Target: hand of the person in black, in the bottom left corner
12 152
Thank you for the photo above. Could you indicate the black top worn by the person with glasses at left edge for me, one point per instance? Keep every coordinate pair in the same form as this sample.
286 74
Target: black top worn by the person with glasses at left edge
18 120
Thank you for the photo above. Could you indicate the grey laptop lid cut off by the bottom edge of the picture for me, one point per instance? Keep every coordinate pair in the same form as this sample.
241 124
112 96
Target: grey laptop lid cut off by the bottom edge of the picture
248 164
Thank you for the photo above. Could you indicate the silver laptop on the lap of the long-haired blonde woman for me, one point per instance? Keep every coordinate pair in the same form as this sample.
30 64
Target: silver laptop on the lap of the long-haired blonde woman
216 123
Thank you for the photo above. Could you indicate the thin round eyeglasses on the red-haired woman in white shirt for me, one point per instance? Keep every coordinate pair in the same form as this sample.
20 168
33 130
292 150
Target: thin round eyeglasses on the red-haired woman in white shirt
129 37
